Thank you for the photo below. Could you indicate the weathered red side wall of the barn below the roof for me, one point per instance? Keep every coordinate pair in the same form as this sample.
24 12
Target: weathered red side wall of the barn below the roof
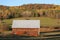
26 31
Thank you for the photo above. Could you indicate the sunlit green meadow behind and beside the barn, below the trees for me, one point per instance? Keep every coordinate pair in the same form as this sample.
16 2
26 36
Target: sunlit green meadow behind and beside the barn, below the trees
45 21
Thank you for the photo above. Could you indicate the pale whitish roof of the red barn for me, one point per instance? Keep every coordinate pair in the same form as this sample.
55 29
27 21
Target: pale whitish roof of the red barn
26 24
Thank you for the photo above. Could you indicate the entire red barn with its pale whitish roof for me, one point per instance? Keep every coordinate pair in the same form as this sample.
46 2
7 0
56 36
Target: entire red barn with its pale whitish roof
26 27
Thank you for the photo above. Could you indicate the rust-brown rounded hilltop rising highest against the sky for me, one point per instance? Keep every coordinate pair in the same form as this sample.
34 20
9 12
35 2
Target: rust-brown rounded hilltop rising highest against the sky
39 6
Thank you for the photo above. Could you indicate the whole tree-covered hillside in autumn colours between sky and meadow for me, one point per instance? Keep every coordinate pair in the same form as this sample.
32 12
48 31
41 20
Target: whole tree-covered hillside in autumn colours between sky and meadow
7 12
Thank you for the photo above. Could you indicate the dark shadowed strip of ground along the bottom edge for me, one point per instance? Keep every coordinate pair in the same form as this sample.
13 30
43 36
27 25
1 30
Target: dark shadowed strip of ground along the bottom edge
17 37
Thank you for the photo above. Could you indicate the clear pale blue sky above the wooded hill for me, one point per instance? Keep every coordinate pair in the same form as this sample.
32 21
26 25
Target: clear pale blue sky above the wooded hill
21 2
